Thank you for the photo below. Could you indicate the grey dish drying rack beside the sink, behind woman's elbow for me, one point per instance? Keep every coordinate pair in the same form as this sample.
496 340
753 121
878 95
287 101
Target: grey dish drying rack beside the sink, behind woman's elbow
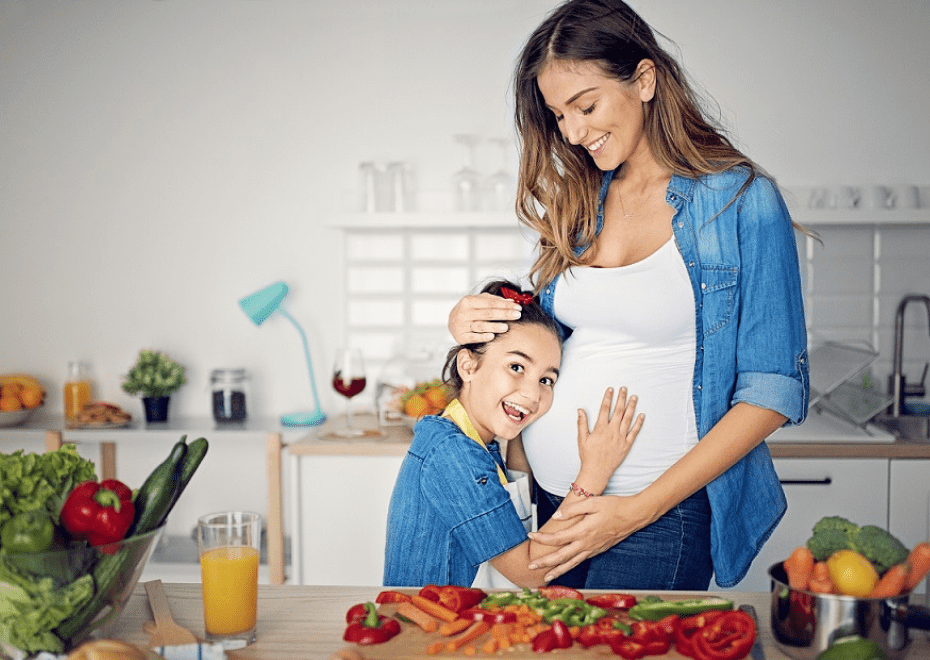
832 368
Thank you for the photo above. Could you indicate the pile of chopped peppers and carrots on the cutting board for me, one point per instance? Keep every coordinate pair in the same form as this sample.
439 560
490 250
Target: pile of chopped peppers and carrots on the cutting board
468 621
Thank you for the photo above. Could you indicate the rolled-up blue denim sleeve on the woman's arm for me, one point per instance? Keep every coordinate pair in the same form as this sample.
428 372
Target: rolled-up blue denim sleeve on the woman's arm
771 351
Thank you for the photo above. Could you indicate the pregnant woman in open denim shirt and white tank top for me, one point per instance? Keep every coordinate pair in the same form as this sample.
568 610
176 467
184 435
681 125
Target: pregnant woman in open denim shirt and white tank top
669 259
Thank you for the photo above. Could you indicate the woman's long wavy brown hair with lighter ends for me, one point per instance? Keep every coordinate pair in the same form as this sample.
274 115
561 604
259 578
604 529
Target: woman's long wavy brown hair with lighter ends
558 185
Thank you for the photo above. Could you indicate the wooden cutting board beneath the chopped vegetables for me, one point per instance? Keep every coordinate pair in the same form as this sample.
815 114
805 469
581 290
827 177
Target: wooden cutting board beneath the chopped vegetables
412 643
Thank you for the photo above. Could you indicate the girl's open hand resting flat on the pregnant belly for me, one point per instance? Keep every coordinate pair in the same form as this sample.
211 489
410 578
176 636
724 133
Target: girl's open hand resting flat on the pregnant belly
603 449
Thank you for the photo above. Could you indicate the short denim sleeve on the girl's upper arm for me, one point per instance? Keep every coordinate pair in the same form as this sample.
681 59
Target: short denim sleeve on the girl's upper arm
466 490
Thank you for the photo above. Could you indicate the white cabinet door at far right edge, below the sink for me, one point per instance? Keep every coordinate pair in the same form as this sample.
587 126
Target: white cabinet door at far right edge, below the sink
909 504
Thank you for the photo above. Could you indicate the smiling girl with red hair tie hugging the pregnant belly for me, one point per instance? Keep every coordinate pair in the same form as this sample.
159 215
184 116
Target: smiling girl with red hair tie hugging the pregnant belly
452 508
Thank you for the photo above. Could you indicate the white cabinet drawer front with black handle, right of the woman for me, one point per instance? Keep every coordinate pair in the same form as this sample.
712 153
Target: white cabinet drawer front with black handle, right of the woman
856 489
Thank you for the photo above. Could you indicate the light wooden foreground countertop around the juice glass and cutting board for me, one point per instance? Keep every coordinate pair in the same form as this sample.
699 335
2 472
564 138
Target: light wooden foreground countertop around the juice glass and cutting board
308 622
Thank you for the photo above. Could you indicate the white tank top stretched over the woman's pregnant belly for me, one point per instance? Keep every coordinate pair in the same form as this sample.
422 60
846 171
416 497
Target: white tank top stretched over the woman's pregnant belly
632 326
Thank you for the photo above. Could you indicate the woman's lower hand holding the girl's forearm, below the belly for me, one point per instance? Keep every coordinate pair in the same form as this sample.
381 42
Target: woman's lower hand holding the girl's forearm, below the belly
602 522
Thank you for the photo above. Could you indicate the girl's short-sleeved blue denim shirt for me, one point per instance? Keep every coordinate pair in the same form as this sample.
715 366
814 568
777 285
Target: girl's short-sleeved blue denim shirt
449 511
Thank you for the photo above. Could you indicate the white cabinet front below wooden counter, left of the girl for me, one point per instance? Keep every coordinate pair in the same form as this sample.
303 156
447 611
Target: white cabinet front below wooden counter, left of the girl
338 518
